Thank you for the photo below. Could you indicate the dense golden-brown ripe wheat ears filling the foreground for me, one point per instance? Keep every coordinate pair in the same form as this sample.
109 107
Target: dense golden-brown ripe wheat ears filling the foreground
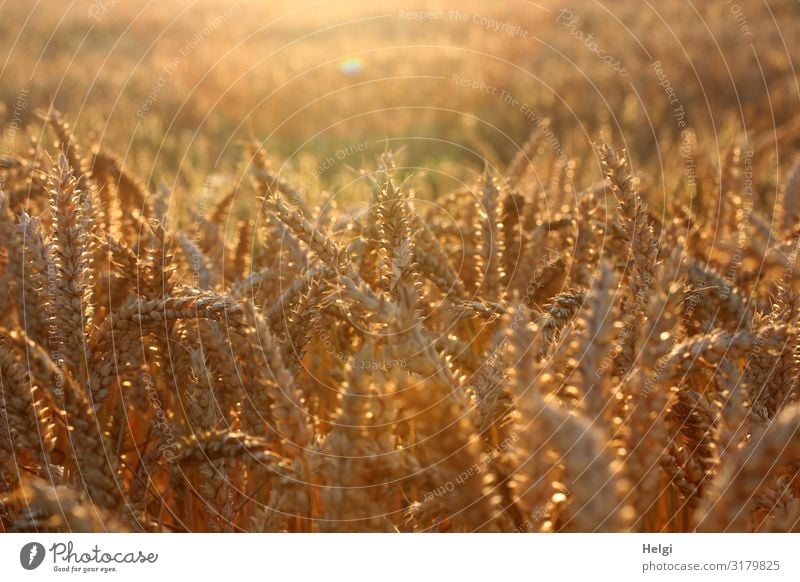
517 357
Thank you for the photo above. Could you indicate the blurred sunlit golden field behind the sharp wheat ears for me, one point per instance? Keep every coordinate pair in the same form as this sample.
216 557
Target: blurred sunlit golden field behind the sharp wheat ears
174 88
